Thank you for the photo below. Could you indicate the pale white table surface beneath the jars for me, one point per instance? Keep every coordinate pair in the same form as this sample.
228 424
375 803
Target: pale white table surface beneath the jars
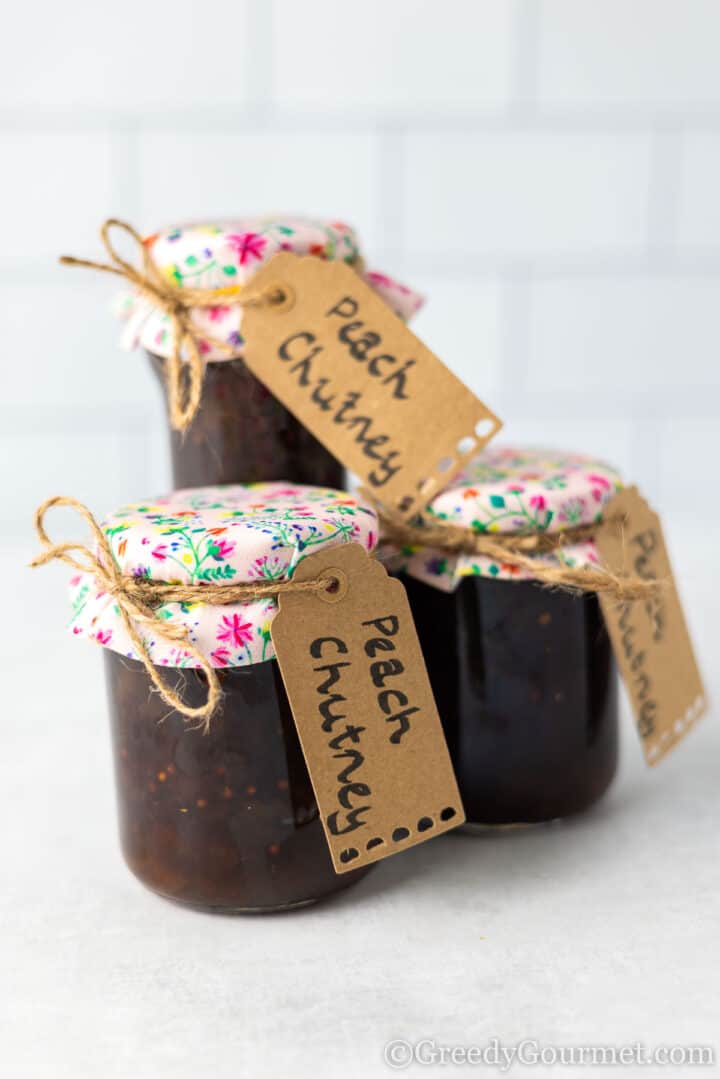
603 931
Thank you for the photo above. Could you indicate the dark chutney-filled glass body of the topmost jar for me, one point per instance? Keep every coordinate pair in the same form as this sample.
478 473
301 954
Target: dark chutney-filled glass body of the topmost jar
242 434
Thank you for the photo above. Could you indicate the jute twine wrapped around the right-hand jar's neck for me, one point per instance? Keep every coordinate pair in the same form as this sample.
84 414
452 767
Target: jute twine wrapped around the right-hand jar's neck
517 551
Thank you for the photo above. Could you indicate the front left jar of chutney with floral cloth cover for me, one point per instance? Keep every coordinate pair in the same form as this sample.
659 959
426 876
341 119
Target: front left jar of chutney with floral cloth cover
225 820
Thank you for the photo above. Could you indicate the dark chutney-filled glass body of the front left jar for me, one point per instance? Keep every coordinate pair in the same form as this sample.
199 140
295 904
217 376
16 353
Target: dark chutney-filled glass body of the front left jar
223 822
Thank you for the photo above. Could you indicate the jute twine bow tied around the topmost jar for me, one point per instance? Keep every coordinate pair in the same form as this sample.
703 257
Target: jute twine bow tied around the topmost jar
185 379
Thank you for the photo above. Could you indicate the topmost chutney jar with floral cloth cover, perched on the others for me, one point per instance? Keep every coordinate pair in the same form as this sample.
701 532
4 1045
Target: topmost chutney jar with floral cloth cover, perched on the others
241 433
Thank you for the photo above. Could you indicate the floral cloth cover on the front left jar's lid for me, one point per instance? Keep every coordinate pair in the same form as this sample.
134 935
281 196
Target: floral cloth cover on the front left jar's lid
215 537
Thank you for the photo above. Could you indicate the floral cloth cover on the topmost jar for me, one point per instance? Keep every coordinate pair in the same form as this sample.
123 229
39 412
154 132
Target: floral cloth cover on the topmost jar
214 255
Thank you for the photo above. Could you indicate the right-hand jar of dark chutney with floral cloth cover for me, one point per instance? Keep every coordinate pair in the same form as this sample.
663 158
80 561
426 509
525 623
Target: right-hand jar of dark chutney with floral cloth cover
523 676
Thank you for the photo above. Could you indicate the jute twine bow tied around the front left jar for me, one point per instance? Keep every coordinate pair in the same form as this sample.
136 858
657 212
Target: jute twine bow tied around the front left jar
139 599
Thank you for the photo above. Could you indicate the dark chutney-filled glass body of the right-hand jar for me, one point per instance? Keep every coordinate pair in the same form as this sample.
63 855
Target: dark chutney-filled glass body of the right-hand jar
526 687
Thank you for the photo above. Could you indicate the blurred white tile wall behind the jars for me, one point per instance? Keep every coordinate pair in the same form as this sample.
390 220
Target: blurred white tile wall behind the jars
547 171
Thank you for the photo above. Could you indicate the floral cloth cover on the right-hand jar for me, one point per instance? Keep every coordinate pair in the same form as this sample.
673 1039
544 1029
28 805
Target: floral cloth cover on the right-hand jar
511 489
